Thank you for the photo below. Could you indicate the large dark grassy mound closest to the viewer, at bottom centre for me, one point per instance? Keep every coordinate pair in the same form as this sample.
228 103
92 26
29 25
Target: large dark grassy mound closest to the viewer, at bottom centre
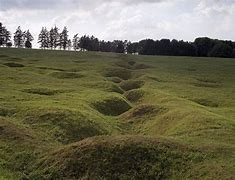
130 157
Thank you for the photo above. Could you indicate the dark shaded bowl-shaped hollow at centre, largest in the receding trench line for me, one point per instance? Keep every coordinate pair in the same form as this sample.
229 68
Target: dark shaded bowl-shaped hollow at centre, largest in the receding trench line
113 106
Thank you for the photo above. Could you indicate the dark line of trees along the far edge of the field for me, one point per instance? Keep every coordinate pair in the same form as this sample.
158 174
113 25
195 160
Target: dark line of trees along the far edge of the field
54 39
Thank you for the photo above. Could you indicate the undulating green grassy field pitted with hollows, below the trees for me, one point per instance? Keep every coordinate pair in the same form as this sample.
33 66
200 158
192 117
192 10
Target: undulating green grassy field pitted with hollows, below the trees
75 115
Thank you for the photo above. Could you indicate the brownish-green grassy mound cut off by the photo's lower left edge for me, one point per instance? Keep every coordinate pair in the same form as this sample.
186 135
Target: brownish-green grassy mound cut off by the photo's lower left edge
17 148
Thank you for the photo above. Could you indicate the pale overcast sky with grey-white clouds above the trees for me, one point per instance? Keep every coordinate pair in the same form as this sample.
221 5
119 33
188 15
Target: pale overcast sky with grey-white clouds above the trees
124 19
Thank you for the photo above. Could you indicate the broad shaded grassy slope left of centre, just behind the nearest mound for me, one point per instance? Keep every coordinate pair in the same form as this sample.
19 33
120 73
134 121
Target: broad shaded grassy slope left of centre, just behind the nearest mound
62 124
